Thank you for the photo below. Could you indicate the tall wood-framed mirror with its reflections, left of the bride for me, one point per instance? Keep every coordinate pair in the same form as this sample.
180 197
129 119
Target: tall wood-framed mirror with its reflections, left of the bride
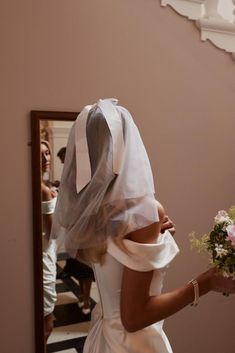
65 291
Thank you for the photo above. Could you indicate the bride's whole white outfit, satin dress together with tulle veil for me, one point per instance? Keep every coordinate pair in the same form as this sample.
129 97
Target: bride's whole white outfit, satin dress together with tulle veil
106 192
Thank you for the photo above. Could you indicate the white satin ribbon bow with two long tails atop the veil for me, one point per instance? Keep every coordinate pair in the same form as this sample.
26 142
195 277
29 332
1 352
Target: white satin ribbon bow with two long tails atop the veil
83 167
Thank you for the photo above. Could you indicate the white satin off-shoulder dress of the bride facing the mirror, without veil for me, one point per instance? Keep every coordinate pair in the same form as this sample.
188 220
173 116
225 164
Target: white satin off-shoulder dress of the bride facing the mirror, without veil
107 334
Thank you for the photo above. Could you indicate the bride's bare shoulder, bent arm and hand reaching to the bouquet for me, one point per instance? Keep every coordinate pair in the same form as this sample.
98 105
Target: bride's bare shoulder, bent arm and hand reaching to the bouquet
139 309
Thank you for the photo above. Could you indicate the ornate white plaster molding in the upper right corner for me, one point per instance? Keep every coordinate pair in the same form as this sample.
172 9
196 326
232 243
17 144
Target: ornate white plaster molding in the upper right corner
214 18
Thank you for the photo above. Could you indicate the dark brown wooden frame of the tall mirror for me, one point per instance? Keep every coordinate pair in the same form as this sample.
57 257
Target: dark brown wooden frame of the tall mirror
37 116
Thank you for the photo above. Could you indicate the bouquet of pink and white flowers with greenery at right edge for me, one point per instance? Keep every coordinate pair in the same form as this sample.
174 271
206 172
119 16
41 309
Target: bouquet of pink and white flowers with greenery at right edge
219 244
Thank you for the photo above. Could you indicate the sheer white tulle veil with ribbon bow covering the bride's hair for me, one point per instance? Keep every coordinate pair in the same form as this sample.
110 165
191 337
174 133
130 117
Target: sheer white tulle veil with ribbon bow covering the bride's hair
107 185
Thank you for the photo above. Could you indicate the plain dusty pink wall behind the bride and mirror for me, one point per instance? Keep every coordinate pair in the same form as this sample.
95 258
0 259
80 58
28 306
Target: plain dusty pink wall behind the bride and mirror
60 55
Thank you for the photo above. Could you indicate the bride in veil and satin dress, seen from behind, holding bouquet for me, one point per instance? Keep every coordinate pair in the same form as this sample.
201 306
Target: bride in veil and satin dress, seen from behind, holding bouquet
108 216
